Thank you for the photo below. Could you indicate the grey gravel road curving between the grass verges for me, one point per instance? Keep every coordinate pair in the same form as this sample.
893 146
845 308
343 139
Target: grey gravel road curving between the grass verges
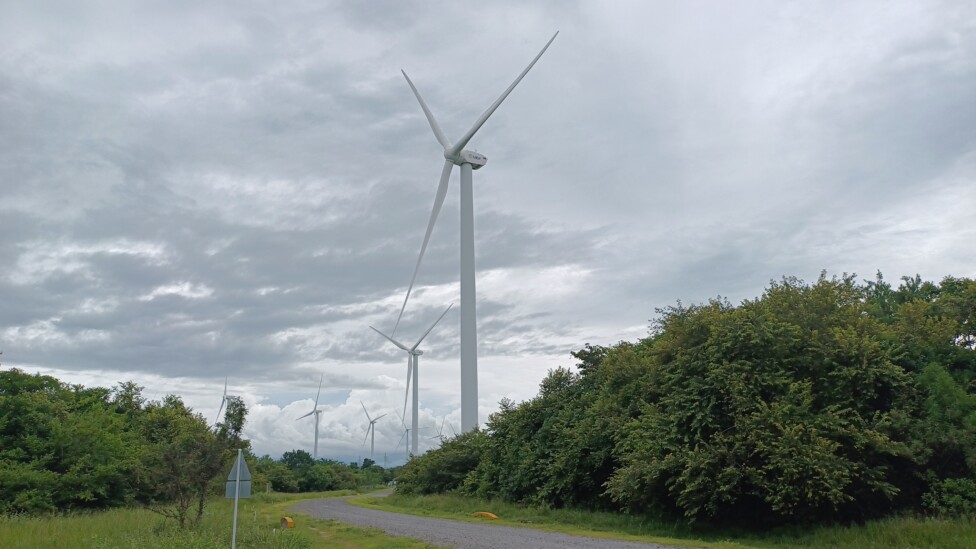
462 535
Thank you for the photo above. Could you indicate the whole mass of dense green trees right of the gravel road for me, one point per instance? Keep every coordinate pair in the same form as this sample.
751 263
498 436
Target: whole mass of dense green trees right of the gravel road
835 400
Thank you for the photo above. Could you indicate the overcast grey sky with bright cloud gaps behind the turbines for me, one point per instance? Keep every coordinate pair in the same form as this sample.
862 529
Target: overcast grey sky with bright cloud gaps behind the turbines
193 190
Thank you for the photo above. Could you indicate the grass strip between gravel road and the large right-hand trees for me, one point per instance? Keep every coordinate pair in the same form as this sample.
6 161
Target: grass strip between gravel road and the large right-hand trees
894 533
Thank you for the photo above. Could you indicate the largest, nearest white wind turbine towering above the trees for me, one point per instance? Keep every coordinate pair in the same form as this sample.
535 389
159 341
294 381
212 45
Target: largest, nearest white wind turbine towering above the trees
468 160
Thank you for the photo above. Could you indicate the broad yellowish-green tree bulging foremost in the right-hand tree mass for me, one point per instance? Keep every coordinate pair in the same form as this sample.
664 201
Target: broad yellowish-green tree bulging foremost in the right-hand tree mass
783 407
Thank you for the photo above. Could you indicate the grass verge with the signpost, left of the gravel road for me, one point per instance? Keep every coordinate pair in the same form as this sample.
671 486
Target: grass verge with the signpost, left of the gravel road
258 527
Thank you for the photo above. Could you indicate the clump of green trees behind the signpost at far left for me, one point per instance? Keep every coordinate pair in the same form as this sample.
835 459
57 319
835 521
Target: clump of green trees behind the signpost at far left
67 447
